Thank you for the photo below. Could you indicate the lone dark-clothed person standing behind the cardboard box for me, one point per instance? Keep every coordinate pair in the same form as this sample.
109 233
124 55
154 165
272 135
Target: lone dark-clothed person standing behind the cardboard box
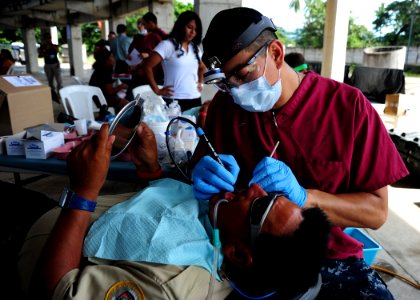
49 52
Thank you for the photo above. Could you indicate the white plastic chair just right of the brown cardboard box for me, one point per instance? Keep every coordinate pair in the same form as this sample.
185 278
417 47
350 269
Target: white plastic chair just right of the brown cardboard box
78 101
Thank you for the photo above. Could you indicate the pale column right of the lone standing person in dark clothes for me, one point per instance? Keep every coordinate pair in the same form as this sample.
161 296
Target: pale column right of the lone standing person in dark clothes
76 55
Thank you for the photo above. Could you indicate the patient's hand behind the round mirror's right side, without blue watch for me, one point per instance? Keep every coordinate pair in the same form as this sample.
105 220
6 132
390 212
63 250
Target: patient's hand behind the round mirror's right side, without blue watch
143 150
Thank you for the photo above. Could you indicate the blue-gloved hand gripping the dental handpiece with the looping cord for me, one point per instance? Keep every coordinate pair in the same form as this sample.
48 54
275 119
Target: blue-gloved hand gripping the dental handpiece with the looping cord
210 177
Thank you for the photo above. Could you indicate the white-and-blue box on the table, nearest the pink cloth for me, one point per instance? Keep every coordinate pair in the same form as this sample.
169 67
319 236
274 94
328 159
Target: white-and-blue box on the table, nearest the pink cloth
41 146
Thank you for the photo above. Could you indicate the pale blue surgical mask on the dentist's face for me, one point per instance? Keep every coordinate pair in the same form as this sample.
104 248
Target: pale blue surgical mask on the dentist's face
257 95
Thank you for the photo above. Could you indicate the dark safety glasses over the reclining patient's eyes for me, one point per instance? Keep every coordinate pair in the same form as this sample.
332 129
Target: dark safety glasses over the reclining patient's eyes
259 211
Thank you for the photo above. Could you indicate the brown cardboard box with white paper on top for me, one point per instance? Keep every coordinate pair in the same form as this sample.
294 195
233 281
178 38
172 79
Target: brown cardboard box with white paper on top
24 102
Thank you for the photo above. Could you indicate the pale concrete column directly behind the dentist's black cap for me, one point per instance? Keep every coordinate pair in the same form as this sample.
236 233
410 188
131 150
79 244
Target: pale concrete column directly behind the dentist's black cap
207 9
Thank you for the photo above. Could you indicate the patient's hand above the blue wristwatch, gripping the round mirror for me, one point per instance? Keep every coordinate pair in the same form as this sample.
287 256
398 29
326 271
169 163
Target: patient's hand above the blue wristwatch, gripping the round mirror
88 163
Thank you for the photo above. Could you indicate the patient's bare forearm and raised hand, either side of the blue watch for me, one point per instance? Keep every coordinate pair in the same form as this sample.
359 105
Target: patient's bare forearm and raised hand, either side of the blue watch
87 167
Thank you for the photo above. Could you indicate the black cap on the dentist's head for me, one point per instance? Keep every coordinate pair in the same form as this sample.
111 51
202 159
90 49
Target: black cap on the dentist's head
225 41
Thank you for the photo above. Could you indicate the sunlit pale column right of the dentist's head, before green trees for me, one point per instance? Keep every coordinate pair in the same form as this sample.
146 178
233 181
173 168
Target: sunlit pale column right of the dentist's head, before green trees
335 39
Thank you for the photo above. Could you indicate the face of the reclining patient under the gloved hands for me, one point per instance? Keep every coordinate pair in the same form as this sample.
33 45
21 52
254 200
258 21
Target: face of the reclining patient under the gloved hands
233 217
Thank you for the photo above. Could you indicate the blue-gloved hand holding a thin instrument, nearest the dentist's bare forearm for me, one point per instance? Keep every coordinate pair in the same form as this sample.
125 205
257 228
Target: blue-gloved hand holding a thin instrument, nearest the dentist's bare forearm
273 175
